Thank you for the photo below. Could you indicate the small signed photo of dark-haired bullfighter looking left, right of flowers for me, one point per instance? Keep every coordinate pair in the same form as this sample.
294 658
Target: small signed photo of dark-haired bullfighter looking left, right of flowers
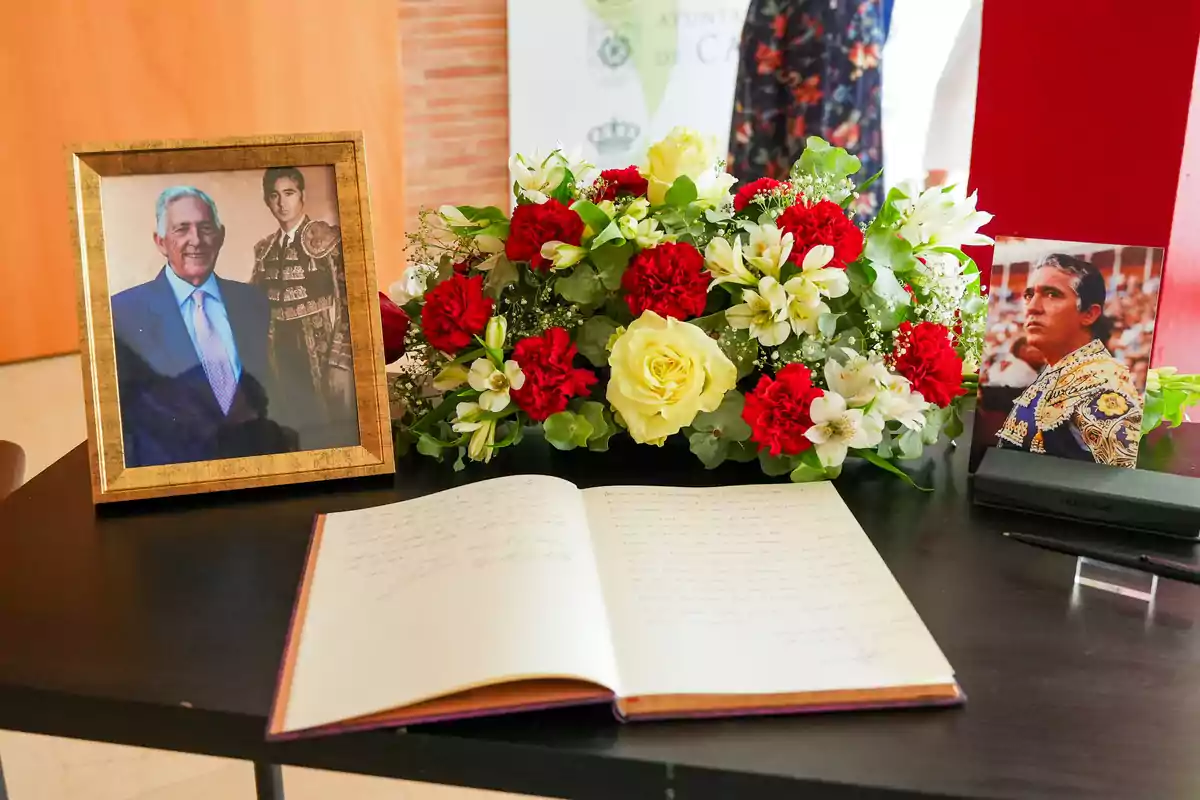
1071 327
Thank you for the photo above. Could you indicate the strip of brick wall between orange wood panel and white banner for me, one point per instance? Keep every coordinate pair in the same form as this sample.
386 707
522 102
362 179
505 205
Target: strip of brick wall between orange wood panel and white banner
457 104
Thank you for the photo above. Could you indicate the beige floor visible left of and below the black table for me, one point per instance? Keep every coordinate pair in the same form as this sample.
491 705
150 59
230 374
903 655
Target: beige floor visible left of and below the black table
41 410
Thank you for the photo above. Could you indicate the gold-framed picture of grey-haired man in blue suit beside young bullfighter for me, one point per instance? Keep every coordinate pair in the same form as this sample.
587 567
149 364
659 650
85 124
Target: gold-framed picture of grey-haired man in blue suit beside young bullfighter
230 321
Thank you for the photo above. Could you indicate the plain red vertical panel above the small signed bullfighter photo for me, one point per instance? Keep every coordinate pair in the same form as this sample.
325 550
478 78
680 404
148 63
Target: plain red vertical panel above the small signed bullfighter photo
1082 117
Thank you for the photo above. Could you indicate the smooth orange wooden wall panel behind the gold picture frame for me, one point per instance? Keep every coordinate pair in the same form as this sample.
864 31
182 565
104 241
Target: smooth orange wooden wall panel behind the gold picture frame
149 69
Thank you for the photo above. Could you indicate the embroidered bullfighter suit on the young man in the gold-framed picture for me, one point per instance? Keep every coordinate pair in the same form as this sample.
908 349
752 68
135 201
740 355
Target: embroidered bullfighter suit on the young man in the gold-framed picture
310 345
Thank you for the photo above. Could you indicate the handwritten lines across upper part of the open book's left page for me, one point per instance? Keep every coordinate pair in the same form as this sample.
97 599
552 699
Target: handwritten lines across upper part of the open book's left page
400 545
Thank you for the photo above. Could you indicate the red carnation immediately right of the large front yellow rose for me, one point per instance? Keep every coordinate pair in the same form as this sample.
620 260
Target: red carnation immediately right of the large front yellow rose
778 411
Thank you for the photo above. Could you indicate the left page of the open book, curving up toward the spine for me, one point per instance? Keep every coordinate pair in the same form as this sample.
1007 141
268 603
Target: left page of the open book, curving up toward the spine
479 584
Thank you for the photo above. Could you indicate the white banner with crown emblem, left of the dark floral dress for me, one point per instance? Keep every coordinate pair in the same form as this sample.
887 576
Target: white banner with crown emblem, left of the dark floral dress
616 76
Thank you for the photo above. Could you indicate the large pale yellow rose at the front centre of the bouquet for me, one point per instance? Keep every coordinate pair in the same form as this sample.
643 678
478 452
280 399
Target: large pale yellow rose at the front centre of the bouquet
664 374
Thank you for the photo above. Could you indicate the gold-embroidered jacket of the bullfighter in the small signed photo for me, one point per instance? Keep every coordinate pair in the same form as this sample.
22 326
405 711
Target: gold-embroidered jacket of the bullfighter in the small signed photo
1084 407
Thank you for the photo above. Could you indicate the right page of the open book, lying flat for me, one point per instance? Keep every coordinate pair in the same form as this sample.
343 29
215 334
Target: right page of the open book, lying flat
752 590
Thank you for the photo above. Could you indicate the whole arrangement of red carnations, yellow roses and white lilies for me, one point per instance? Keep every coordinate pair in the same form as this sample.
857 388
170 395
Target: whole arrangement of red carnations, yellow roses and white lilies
657 302
